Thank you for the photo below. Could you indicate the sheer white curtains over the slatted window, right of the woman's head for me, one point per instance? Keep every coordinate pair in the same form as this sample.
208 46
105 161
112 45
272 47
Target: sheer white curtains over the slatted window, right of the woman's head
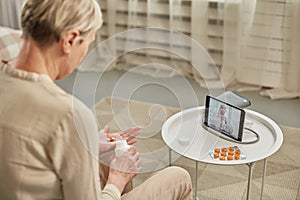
254 43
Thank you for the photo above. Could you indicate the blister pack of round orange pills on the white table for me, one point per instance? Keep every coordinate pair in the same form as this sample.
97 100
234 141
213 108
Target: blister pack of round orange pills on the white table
227 153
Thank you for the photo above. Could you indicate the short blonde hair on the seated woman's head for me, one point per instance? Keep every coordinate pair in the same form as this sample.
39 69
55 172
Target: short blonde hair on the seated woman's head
47 20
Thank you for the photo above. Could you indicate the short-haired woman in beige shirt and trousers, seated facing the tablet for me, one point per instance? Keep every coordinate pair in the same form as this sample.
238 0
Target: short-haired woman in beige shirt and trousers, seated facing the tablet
48 139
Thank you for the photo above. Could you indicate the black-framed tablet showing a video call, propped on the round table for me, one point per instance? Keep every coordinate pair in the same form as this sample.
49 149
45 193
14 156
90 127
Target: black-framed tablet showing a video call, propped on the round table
224 118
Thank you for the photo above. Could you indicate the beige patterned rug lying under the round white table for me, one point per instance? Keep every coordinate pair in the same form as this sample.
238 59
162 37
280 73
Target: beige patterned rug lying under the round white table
214 182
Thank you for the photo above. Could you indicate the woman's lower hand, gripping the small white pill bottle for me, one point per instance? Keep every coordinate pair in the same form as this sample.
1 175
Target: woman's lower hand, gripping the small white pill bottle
124 168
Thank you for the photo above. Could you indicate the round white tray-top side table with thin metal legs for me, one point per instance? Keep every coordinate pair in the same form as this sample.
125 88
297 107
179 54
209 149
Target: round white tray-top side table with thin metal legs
183 133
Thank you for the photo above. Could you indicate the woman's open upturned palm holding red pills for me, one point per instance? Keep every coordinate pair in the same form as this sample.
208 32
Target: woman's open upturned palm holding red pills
107 140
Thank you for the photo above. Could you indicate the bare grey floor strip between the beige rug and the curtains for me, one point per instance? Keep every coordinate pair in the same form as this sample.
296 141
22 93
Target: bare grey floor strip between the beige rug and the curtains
91 87
